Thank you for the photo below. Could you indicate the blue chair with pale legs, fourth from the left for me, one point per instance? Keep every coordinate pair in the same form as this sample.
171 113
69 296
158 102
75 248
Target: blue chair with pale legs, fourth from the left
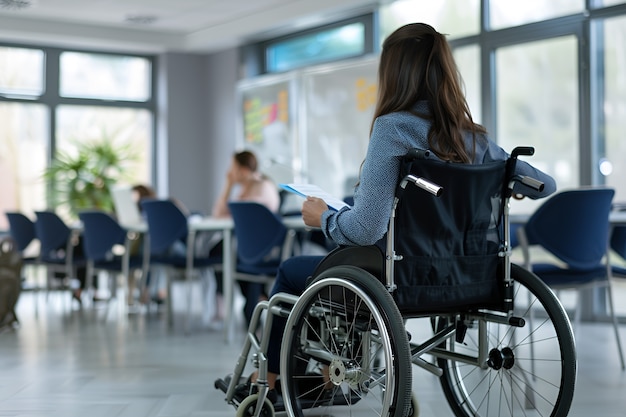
169 246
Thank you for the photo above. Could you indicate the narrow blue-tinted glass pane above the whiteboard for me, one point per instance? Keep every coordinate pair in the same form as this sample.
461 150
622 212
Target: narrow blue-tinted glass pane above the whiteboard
332 44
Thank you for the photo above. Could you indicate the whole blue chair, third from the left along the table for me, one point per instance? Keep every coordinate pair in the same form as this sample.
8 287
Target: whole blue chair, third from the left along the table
101 235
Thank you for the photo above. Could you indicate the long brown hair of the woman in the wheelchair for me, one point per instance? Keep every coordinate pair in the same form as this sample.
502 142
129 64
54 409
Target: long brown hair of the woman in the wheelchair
416 64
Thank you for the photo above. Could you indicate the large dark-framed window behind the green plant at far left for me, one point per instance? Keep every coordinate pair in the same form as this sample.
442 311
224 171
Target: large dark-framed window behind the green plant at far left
86 107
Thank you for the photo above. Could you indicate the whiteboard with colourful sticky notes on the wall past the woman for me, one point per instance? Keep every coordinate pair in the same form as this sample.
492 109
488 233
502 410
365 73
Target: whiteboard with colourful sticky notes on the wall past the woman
311 125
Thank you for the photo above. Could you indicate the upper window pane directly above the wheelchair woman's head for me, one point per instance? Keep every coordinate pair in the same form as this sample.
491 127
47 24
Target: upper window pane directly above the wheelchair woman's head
457 18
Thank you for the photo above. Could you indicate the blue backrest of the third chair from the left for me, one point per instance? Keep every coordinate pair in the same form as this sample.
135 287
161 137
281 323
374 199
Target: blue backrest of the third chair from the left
101 233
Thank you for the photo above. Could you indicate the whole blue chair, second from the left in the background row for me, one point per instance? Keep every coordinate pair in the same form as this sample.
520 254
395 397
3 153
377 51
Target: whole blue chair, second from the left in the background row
61 249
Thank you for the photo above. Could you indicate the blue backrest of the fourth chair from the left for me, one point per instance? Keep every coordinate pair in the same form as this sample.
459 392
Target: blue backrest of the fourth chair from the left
166 224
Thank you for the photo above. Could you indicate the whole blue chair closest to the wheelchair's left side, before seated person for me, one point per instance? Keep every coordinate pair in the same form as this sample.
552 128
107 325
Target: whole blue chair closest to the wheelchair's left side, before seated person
261 238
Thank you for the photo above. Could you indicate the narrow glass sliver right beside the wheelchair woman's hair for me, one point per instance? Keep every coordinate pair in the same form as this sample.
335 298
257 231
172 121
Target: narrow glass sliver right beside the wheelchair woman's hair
468 61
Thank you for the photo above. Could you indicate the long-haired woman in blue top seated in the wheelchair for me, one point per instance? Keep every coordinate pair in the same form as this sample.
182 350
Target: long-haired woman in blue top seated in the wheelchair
420 105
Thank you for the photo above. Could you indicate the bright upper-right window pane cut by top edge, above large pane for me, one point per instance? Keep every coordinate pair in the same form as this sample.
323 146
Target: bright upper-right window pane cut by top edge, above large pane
506 13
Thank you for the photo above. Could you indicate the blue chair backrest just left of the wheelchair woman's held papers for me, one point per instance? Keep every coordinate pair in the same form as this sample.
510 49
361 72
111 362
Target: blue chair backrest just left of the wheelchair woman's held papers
258 232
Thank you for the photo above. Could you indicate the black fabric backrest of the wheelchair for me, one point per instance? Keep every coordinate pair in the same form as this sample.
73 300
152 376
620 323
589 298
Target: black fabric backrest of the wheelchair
448 251
